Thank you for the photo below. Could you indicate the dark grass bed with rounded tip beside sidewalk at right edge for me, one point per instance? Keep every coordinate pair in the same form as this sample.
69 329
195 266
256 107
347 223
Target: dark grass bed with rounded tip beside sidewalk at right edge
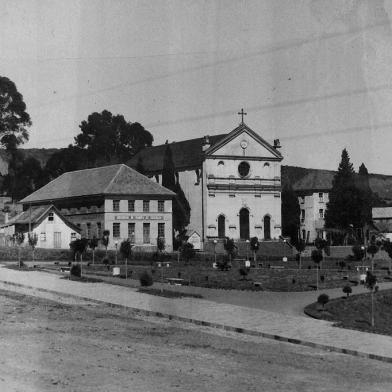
354 312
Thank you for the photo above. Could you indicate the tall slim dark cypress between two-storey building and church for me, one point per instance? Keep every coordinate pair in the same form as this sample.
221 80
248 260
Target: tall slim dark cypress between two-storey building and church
181 207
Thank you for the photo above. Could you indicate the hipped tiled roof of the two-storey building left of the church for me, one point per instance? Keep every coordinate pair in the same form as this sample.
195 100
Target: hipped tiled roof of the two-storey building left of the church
107 180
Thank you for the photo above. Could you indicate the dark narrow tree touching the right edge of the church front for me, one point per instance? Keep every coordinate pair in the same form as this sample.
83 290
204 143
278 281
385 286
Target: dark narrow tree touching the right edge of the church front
290 214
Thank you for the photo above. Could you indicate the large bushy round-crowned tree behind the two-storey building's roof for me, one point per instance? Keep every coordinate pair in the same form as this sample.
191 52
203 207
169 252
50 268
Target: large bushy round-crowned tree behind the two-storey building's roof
109 138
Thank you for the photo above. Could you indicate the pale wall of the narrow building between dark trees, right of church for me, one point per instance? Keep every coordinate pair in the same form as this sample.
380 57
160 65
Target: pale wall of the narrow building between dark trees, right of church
313 207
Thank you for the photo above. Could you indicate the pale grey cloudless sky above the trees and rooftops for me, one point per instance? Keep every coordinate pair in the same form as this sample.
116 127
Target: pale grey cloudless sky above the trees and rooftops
314 73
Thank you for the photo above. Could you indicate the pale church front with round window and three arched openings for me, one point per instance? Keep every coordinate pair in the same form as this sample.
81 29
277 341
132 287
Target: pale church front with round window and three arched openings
242 188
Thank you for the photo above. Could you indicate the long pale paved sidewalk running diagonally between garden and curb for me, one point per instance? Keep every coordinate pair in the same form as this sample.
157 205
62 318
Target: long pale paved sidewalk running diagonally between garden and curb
257 322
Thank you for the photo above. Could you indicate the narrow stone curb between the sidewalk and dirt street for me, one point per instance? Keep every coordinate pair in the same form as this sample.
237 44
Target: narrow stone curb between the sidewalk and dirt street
229 328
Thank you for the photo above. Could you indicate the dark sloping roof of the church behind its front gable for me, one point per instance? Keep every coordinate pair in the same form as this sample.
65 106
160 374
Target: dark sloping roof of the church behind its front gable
186 154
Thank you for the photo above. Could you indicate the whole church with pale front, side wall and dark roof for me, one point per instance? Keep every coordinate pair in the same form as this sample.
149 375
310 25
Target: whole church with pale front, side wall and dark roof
231 181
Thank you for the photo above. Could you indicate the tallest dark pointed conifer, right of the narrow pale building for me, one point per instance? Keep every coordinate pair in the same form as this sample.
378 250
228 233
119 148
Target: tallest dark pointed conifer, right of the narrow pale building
345 199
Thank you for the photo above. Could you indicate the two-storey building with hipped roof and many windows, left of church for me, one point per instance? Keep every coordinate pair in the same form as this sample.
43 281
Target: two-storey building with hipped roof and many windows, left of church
115 198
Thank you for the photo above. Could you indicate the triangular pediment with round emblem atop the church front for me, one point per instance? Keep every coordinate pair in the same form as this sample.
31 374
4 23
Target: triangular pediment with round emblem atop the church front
243 141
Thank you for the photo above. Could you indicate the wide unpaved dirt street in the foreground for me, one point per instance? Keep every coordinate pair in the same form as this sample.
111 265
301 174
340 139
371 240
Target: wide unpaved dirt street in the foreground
47 346
